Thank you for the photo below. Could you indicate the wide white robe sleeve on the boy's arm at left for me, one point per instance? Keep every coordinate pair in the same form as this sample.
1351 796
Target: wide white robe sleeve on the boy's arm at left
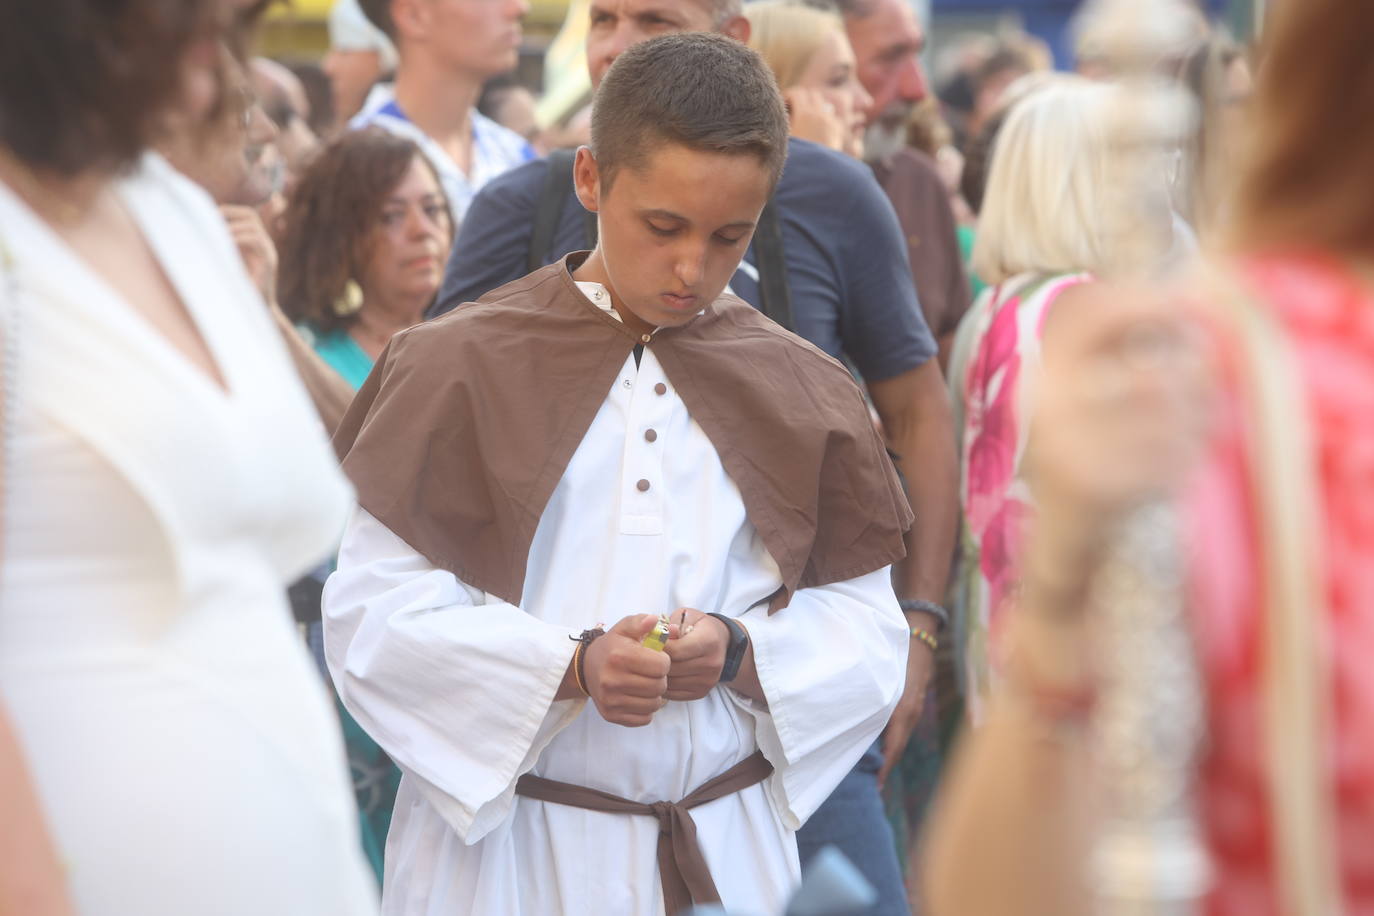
455 686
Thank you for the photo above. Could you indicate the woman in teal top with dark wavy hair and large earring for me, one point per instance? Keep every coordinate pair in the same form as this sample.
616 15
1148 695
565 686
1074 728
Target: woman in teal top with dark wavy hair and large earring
363 249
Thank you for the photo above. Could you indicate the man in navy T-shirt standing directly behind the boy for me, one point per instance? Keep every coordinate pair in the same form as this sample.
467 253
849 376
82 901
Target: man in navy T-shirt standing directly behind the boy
851 295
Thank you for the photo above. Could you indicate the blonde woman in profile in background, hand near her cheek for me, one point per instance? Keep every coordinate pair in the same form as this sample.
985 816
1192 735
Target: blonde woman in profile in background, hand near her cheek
810 54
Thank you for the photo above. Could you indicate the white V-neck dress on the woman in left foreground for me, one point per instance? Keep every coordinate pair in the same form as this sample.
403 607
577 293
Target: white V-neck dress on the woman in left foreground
185 749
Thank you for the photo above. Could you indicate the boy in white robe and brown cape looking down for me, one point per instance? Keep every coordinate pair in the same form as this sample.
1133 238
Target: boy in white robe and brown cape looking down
613 440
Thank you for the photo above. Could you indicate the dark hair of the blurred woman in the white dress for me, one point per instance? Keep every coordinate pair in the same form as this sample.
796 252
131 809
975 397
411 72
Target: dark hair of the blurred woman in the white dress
86 84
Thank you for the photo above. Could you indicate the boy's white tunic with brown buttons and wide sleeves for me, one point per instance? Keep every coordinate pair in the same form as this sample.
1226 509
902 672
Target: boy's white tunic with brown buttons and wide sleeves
458 686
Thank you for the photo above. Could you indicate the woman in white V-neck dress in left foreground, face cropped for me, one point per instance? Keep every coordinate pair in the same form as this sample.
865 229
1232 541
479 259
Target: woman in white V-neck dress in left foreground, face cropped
166 744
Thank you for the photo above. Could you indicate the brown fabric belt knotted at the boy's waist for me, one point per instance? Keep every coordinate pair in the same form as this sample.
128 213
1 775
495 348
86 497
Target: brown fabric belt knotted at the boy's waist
682 869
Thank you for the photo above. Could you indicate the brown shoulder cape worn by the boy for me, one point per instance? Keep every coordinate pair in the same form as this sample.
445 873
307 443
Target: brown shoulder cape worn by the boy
460 436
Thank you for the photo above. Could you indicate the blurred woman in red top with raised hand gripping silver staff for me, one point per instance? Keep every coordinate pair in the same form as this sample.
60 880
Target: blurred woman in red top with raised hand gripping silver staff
1280 577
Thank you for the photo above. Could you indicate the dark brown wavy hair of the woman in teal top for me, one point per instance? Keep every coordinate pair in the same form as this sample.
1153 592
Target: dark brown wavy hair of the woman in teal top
330 220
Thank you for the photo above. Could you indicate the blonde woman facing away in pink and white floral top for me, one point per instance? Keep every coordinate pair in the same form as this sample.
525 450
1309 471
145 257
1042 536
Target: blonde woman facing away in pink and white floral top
1045 234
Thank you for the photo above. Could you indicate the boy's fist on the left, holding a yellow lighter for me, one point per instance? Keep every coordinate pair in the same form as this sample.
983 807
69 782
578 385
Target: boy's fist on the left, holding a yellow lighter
627 680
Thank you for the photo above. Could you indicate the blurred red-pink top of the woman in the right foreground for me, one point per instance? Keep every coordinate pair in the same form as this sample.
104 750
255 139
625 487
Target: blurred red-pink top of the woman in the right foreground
1329 319
